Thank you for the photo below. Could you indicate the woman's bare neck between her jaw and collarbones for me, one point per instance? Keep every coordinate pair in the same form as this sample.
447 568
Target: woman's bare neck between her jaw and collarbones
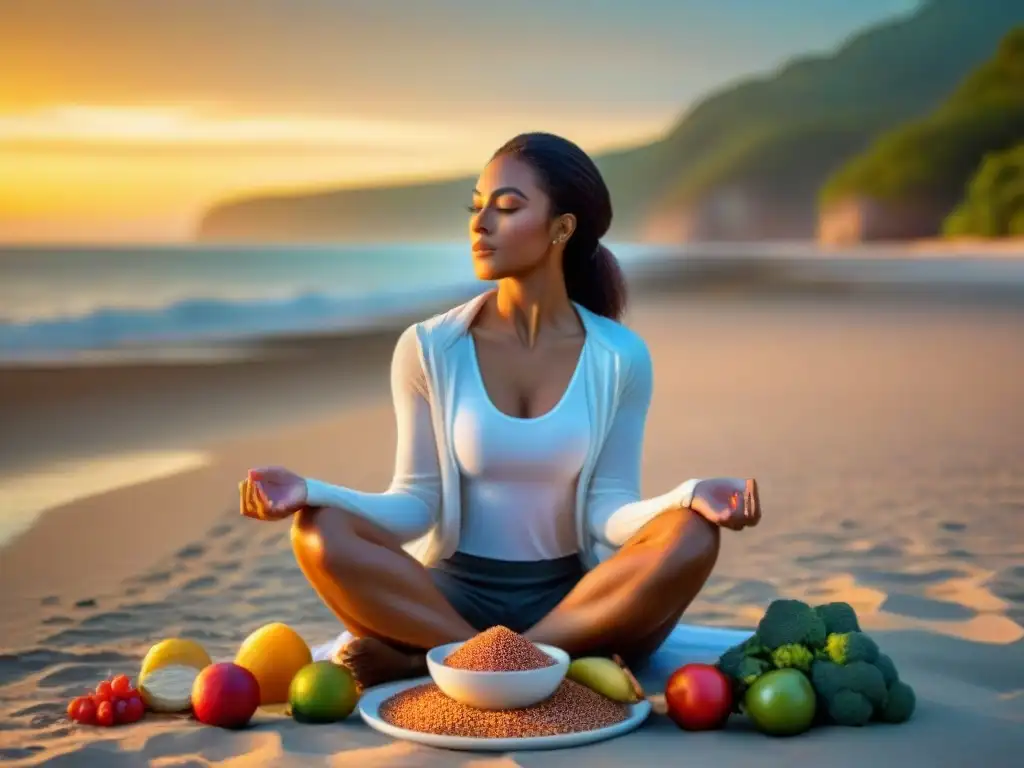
534 304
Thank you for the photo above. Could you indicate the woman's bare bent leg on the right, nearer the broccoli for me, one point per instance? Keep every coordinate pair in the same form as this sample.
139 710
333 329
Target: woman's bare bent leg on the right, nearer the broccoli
630 604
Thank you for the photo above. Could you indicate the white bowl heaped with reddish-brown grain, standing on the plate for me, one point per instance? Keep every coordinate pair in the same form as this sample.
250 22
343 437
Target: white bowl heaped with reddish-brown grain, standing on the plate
497 691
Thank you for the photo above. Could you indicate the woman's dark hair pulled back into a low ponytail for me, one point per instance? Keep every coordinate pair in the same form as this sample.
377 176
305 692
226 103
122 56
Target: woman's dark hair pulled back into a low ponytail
593 278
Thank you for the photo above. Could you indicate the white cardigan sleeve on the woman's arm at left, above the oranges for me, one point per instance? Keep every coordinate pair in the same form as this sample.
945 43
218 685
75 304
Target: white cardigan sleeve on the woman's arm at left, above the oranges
412 503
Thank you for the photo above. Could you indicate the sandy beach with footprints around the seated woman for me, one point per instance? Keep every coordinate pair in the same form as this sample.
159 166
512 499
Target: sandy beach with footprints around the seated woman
888 438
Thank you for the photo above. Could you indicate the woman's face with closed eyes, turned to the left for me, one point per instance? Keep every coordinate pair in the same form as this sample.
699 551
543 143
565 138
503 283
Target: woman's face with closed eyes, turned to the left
510 227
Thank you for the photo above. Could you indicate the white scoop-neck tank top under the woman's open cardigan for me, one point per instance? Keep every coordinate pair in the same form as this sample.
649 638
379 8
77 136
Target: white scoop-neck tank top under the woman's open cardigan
519 476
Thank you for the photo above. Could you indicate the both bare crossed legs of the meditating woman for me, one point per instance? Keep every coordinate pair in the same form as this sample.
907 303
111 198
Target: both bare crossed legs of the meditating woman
389 601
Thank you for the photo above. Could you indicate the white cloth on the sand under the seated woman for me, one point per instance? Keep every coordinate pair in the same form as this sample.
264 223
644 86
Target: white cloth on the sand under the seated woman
689 644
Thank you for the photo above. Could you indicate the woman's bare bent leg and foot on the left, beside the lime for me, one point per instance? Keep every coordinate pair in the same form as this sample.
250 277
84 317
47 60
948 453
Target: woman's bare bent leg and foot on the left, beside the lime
382 595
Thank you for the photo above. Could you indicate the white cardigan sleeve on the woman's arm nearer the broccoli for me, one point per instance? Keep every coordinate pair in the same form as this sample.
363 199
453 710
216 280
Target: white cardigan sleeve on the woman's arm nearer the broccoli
616 510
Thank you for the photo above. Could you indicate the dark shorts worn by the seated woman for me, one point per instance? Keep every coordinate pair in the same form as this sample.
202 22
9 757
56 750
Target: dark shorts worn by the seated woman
511 593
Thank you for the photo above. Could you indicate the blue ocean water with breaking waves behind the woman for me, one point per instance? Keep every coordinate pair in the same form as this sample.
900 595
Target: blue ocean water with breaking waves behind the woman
60 304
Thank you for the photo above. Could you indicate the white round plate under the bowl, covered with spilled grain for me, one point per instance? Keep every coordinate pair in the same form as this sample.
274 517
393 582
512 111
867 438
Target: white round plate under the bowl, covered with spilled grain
372 700
